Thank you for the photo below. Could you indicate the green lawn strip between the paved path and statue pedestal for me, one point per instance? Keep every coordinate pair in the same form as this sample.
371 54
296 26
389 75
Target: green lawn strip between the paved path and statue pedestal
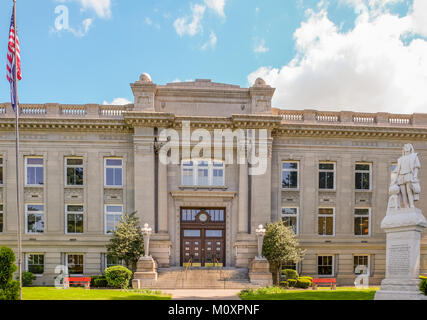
342 293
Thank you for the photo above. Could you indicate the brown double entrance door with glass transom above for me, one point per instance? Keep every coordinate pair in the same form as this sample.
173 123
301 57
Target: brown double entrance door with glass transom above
203 237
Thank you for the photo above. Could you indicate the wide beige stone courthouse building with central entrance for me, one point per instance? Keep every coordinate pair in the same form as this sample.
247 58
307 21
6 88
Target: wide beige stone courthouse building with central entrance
83 166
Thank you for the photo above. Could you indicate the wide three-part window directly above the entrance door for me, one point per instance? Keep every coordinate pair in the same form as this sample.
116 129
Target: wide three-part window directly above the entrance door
203 173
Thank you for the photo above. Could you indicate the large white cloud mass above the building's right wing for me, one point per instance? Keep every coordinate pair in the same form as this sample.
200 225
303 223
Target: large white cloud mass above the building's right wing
374 67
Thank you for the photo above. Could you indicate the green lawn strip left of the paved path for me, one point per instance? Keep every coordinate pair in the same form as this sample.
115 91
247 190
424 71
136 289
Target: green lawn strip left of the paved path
48 293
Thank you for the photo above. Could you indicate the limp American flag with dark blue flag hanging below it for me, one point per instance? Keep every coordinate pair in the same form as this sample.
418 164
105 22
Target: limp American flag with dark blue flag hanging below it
11 64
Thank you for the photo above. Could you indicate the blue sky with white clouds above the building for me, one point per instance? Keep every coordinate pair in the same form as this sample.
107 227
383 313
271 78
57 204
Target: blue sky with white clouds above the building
356 55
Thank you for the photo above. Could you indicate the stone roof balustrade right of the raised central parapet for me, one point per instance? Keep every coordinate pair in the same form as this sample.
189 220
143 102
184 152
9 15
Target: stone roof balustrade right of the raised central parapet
352 118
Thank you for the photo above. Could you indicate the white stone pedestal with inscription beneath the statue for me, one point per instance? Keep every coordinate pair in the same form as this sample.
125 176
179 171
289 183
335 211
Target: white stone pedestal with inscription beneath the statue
403 228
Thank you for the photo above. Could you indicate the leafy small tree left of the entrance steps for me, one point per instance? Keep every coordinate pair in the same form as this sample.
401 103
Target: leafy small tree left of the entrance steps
127 243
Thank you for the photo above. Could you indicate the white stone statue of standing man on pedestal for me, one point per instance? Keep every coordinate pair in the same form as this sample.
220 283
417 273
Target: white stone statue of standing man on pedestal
407 176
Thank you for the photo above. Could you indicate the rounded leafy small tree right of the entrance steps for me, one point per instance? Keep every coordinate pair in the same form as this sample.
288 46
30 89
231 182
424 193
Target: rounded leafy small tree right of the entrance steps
280 247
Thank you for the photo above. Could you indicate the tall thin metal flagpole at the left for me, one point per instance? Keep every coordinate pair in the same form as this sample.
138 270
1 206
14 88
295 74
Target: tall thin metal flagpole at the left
17 155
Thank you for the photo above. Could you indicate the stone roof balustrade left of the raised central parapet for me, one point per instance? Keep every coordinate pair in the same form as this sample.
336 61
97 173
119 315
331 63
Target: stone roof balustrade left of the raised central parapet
53 110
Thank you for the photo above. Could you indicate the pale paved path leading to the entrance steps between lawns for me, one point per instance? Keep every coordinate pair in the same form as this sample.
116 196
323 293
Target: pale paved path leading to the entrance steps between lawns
204 294
